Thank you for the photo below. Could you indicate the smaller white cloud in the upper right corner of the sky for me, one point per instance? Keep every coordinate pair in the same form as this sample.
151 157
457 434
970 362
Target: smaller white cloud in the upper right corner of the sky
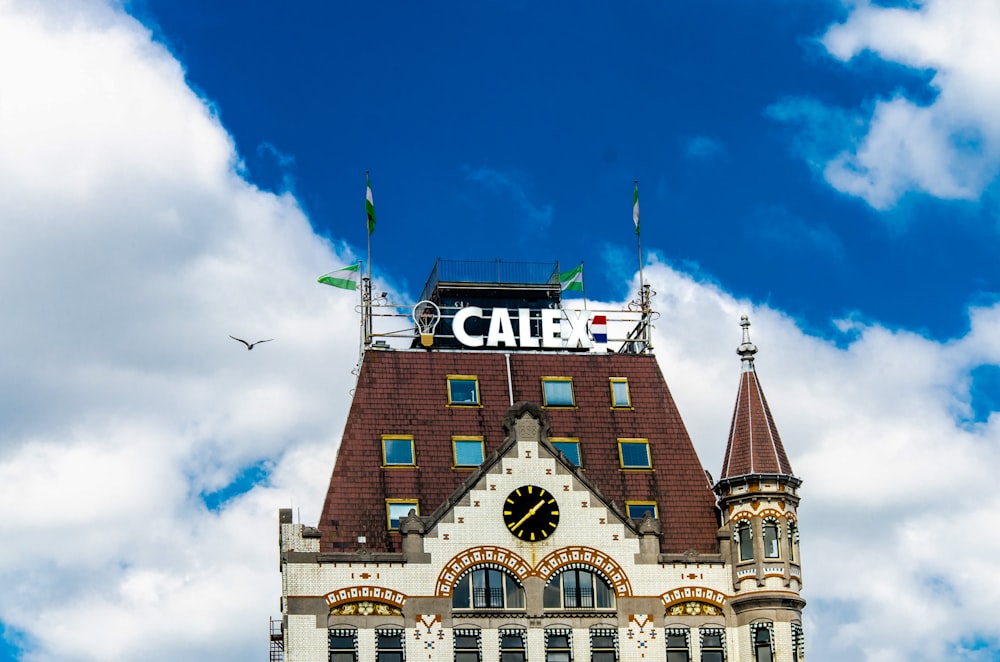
948 147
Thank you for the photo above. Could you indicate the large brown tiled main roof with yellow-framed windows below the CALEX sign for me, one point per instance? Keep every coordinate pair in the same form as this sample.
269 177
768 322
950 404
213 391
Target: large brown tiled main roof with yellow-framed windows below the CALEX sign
405 392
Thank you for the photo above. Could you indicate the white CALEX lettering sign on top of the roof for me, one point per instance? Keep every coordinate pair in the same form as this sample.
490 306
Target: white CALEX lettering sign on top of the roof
502 329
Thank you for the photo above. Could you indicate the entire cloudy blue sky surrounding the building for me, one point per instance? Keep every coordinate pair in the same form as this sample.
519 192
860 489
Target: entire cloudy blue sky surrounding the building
173 172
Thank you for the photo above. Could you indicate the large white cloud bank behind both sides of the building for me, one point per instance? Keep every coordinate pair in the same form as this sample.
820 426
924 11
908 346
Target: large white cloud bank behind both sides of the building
132 249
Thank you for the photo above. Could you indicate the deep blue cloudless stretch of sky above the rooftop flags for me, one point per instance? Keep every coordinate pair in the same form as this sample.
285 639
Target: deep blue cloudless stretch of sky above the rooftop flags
534 120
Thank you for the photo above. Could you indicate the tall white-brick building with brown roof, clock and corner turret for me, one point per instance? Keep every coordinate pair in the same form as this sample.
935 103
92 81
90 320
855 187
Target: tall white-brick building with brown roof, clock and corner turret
516 483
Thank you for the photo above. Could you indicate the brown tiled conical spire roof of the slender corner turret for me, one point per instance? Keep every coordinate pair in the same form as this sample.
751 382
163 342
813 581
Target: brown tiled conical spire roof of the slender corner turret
754 444
